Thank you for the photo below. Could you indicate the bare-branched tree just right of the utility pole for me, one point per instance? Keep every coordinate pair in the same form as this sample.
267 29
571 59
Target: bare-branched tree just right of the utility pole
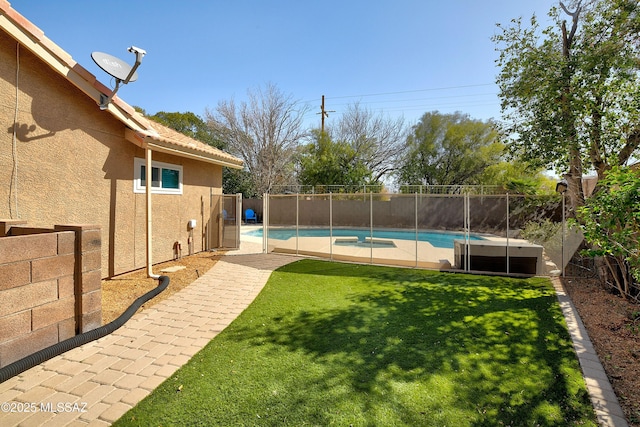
376 140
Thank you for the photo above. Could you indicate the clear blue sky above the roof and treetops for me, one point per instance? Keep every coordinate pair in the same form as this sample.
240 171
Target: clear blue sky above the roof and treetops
398 57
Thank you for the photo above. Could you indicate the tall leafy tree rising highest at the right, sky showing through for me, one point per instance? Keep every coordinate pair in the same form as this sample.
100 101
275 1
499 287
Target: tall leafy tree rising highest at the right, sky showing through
569 92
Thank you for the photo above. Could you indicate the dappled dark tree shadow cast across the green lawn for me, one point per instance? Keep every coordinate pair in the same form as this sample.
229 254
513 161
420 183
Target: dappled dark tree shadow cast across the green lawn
495 349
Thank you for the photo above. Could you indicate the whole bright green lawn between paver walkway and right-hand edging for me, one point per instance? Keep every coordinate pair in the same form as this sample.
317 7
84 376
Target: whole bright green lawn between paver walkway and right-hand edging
340 344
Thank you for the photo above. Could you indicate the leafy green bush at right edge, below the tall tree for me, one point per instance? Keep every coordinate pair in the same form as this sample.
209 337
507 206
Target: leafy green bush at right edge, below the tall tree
611 224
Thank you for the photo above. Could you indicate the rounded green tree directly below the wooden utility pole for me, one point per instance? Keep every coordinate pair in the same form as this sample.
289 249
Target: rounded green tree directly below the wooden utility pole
325 162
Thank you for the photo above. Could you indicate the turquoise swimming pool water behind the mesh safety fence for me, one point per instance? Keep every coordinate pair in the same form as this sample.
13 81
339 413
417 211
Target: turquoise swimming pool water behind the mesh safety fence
439 239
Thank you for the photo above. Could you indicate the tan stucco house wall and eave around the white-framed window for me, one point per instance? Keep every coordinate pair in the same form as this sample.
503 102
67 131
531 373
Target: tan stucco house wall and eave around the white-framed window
63 160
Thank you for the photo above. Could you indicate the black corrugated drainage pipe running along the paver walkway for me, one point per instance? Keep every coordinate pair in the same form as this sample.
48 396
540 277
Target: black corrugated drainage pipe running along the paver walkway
19 366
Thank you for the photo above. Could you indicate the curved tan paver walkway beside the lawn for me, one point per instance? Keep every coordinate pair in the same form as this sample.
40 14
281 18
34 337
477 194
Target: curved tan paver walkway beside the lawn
95 384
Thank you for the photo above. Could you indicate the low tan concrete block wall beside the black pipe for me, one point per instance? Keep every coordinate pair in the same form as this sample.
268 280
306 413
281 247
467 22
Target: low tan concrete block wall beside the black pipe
50 286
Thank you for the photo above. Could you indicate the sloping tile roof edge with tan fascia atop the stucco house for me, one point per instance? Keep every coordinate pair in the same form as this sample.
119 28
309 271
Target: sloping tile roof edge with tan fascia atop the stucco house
143 132
